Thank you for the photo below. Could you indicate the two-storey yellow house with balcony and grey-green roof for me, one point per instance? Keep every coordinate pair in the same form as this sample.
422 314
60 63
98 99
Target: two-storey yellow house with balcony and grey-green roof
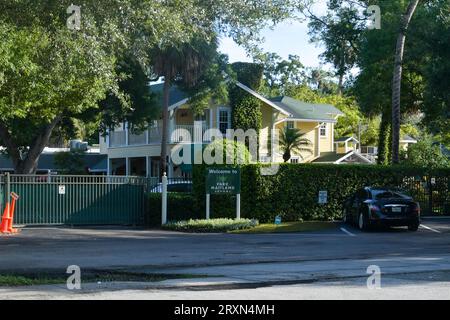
139 153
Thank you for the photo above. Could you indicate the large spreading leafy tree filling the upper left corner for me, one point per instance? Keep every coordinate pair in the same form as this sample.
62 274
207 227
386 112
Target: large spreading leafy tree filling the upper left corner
48 73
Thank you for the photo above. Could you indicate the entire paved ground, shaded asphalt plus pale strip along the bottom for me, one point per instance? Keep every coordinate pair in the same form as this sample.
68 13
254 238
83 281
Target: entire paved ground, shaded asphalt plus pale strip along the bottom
305 264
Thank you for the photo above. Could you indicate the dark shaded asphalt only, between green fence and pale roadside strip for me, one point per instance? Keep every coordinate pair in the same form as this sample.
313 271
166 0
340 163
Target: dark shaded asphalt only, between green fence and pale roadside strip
51 248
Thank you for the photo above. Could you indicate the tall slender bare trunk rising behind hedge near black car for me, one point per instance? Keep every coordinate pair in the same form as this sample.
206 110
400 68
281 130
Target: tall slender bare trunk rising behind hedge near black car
397 78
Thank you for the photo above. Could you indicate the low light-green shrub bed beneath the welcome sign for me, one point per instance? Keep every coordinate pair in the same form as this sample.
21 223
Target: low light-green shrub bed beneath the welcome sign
212 225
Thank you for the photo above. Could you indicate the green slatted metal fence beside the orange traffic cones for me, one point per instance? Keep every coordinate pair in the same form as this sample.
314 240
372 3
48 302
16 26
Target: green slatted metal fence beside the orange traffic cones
77 200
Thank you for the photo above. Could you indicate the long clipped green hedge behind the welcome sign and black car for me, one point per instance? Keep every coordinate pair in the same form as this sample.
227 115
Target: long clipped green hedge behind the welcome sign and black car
293 191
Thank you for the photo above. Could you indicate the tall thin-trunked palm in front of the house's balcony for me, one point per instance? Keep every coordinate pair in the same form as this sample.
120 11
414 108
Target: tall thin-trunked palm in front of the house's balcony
184 65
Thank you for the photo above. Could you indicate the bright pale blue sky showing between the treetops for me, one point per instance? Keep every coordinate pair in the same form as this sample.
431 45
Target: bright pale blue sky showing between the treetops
290 37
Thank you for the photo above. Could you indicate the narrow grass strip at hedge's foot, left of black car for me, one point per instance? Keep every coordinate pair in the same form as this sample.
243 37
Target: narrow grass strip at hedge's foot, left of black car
290 227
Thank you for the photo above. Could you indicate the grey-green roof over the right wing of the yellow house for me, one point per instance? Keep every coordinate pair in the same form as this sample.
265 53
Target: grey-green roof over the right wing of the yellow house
303 110
